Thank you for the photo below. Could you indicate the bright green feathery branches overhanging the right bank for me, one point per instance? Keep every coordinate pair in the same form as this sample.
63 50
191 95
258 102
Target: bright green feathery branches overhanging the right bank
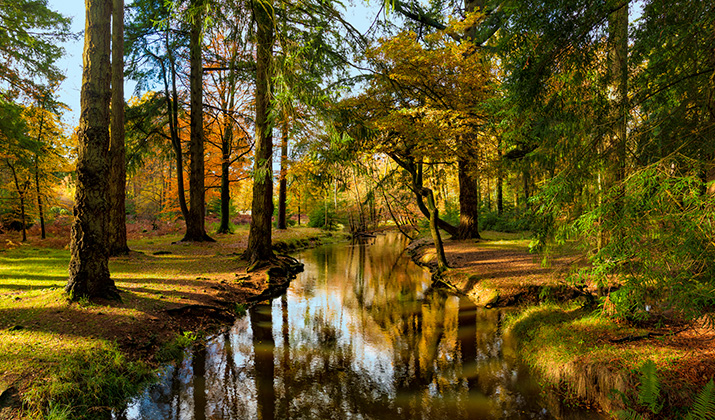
659 241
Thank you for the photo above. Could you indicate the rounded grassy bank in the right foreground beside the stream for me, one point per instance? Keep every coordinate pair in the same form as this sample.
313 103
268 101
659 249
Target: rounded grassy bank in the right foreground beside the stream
596 360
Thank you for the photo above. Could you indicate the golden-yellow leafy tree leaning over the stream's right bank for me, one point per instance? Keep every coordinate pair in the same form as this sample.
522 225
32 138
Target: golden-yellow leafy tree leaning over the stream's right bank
424 108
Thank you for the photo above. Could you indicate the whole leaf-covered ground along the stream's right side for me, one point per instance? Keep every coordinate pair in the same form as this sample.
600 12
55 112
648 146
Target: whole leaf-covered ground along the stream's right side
567 340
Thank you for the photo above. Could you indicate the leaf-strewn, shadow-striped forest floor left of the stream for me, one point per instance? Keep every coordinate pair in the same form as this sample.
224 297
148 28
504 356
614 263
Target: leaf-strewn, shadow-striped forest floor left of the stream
167 288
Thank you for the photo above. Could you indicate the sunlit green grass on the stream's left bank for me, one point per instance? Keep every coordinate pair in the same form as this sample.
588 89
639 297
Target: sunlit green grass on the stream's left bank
62 356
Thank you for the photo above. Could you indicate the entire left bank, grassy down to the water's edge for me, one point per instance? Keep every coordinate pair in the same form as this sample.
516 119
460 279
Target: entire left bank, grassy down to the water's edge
74 360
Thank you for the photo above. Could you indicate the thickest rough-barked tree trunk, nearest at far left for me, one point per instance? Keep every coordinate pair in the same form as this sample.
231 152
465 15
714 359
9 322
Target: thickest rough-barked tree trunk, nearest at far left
89 260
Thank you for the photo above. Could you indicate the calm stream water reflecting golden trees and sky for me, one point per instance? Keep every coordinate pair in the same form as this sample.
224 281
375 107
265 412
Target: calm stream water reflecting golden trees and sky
359 335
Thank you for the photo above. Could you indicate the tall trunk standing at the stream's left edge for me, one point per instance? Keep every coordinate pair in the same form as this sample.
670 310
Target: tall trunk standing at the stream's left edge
259 236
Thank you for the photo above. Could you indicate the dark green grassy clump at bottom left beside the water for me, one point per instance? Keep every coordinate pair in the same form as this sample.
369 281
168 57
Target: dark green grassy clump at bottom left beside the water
86 383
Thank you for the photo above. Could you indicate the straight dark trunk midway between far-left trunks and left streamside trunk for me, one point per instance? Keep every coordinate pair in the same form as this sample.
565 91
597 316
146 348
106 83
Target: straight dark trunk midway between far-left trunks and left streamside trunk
195 227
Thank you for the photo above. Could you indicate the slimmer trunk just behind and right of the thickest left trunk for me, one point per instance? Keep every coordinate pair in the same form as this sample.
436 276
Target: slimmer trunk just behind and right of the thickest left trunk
117 226
